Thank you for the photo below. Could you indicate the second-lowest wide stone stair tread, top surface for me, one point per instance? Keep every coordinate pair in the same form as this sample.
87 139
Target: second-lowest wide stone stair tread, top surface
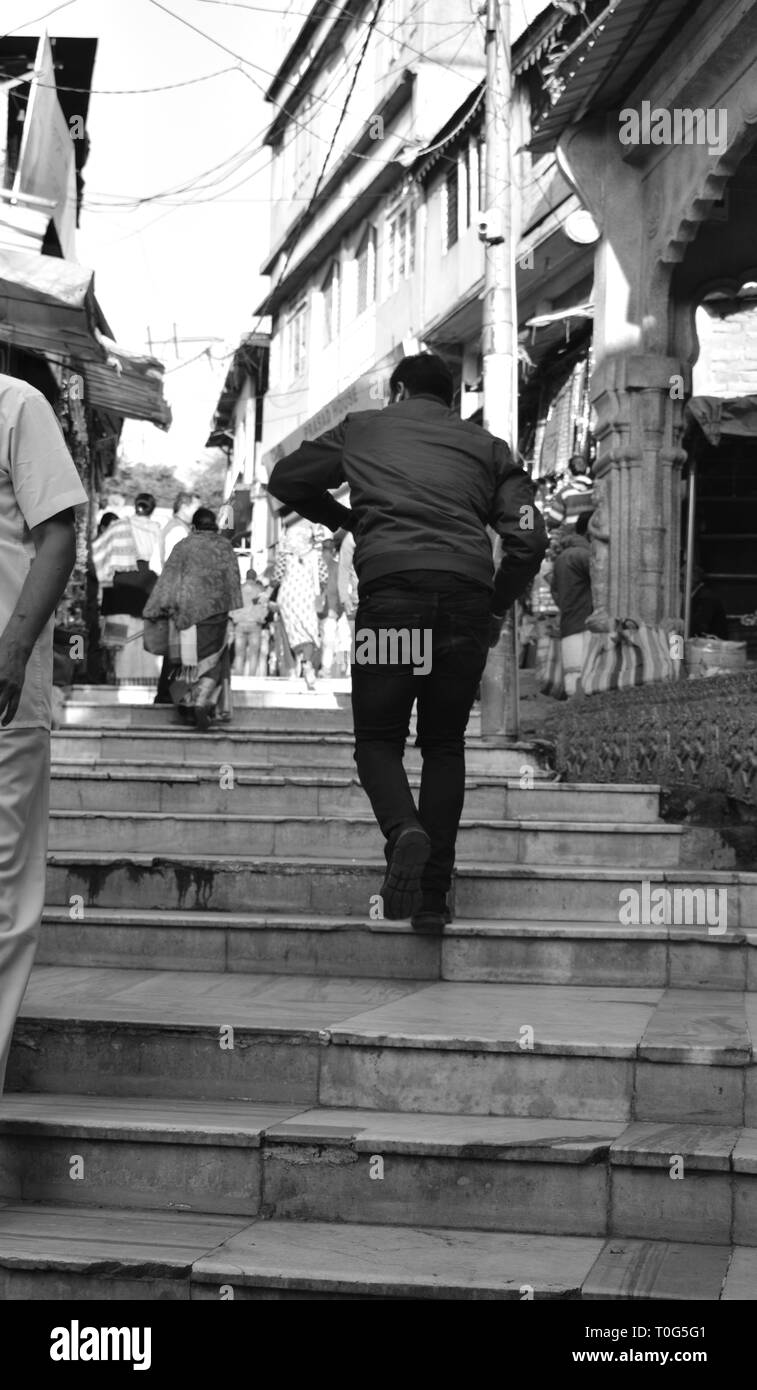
249 1125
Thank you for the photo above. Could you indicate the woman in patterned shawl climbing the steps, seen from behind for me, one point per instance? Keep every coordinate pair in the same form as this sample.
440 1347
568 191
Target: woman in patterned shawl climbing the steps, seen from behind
197 593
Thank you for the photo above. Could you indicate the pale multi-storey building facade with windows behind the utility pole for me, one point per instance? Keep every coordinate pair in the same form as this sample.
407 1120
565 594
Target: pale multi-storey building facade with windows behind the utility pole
388 256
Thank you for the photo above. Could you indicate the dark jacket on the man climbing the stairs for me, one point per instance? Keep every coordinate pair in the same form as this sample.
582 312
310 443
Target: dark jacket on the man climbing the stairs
424 486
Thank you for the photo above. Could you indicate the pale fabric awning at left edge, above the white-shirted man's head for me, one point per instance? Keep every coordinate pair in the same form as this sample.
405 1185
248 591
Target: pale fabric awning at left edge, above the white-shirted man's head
48 305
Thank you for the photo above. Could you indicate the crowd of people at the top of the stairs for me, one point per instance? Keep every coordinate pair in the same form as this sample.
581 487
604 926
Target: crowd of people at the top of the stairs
173 608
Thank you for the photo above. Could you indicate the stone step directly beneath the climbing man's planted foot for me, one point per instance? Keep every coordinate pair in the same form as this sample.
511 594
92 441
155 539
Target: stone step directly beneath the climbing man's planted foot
508 953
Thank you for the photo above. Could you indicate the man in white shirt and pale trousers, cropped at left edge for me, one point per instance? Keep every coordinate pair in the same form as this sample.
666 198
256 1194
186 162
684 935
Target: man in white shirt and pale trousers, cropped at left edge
40 489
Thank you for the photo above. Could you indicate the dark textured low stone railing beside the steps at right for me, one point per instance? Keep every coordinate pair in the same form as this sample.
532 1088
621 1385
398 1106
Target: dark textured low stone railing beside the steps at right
699 733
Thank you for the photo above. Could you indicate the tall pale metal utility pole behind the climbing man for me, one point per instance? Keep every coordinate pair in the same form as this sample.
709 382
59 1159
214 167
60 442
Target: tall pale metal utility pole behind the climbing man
499 687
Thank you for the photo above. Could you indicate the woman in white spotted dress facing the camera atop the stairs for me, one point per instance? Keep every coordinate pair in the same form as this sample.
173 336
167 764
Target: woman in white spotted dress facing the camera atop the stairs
301 573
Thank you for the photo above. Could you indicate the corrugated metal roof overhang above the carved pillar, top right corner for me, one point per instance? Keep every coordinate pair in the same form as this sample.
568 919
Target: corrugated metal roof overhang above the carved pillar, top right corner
604 65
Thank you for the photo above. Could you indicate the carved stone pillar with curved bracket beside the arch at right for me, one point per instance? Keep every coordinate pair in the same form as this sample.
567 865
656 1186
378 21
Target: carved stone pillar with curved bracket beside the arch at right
638 468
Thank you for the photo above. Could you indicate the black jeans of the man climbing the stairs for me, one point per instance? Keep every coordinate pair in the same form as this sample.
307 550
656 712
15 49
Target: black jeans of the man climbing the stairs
448 619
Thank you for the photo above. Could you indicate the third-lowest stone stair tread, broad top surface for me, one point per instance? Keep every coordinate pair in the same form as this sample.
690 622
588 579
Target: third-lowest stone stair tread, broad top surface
581 1021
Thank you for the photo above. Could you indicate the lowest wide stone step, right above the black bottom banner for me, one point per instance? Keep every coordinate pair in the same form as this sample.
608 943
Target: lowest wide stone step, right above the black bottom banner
134 1252
